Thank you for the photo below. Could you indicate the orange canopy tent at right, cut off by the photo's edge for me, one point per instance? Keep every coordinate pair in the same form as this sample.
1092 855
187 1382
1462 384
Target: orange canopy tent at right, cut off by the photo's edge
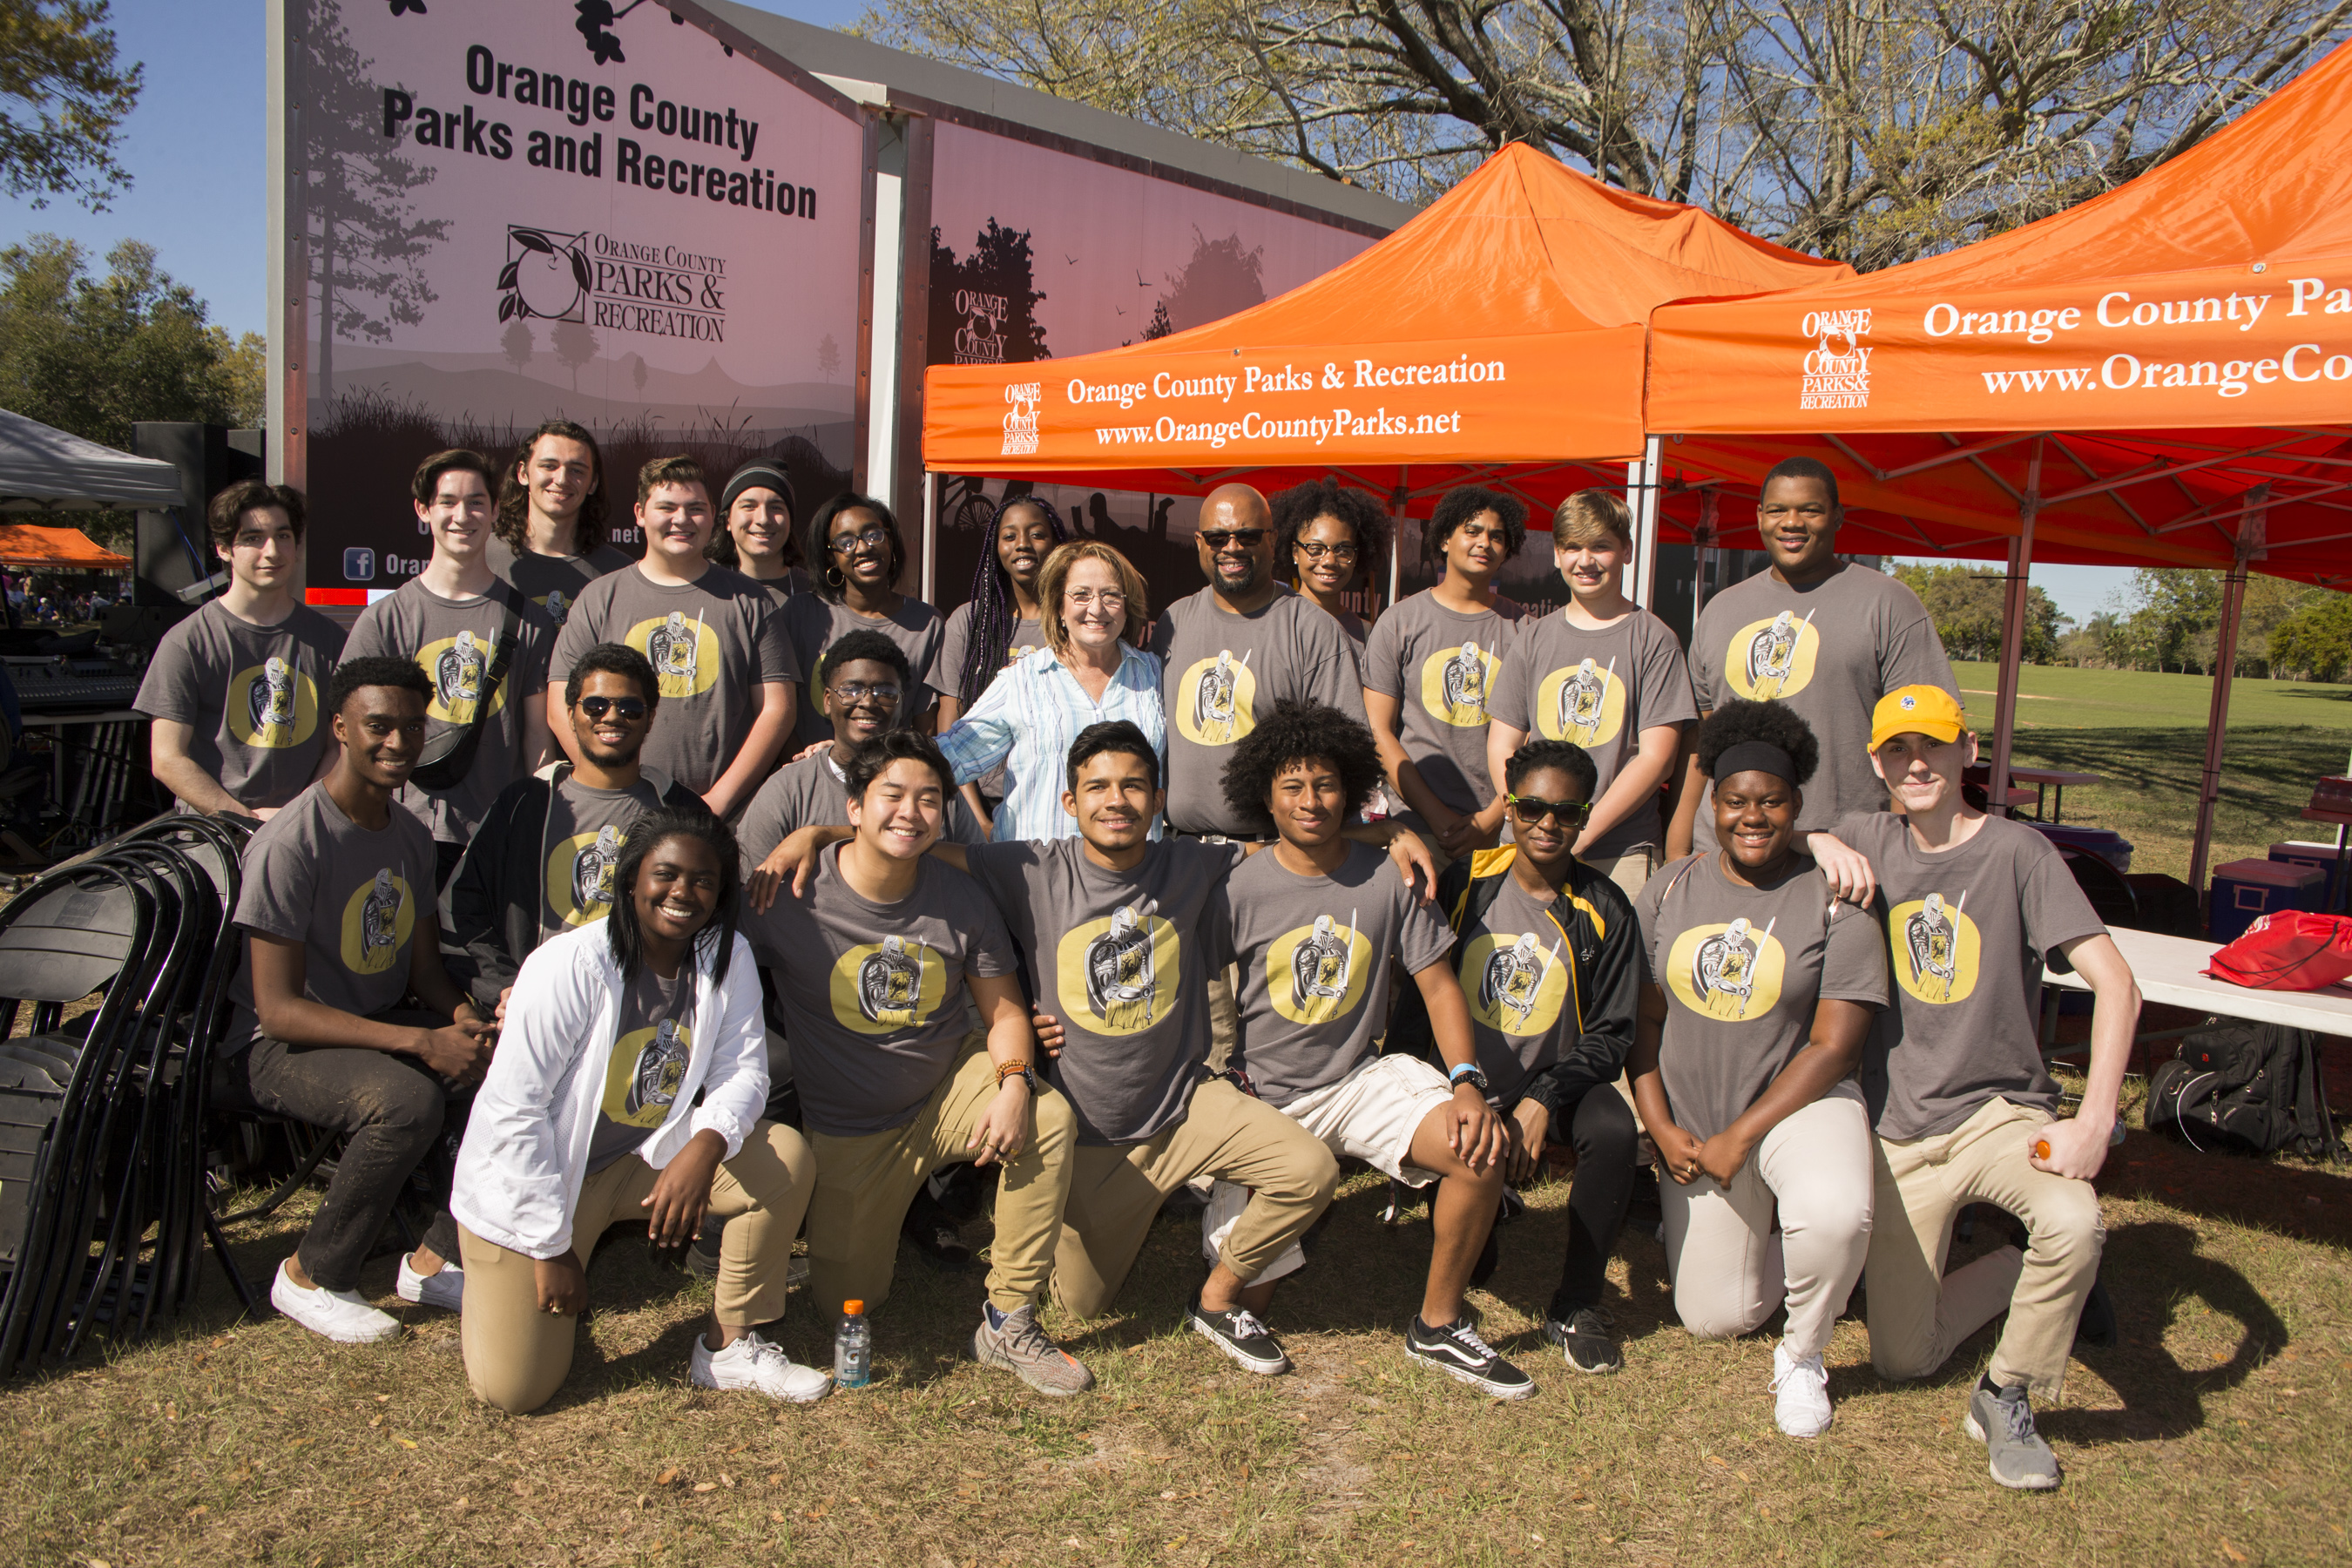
2156 377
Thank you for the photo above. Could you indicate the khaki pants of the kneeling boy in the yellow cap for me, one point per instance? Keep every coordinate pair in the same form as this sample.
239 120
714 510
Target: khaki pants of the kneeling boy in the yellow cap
1918 1313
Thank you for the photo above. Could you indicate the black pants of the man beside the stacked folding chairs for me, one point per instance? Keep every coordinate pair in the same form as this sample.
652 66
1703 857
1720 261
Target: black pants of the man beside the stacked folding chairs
389 1104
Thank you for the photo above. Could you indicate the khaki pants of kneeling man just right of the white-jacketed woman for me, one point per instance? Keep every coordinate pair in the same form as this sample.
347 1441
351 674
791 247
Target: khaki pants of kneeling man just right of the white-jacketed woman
867 1184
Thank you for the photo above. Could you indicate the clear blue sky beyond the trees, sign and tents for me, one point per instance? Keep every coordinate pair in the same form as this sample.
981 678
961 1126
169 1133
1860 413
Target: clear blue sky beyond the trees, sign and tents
199 166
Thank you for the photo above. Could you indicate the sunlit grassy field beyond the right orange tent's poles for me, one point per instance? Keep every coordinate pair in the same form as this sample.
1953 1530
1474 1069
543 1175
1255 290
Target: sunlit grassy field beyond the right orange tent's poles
2146 737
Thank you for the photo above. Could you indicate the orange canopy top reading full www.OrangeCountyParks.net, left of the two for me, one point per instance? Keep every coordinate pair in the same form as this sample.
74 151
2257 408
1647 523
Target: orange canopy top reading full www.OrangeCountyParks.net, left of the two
1497 337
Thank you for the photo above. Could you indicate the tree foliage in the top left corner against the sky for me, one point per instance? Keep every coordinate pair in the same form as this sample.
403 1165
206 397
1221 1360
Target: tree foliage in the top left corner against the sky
62 102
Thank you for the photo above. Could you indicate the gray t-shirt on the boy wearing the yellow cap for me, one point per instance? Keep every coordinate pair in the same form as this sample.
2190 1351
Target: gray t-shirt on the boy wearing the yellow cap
1965 934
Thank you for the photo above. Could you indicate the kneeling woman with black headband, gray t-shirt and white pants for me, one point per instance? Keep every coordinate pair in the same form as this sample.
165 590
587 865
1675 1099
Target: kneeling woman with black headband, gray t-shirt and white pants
1763 989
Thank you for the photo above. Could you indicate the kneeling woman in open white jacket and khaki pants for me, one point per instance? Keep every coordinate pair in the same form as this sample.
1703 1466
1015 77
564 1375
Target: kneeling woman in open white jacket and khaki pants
589 1118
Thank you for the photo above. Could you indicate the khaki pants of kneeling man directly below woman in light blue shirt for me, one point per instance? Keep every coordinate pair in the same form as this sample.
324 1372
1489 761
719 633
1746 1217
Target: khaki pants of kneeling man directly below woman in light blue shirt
1227 1137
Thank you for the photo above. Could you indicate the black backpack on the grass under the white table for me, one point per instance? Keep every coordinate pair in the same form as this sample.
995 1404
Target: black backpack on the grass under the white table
2250 1090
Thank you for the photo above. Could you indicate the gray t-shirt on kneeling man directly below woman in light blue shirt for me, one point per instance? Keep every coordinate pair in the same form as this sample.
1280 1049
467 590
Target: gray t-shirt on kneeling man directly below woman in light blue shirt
1123 960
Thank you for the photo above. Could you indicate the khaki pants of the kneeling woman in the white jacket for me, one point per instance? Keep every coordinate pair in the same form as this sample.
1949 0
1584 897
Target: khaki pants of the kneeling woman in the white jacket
516 1355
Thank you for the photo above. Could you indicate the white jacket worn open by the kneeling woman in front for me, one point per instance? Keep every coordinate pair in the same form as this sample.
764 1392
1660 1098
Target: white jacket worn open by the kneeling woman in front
526 1155
